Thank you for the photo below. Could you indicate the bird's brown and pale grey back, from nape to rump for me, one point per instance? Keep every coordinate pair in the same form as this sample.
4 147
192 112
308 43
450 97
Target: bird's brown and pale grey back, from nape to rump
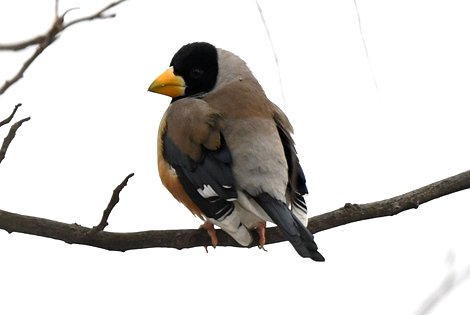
249 128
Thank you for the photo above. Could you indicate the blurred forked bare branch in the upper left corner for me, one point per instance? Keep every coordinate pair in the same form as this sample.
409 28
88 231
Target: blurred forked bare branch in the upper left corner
44 41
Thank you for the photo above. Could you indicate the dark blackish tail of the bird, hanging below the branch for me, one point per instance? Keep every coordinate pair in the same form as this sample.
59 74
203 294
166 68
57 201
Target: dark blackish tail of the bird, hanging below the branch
294 231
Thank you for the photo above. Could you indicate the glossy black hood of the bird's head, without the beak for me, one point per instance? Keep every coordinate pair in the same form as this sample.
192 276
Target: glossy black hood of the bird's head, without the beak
197 64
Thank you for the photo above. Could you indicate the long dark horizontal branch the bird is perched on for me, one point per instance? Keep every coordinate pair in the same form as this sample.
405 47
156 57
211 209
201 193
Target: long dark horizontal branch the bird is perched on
179 239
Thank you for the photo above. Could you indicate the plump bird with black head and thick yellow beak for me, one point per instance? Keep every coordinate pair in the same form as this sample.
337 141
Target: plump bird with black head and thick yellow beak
227 153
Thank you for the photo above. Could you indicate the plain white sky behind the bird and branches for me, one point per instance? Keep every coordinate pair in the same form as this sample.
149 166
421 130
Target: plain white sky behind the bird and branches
93 122
